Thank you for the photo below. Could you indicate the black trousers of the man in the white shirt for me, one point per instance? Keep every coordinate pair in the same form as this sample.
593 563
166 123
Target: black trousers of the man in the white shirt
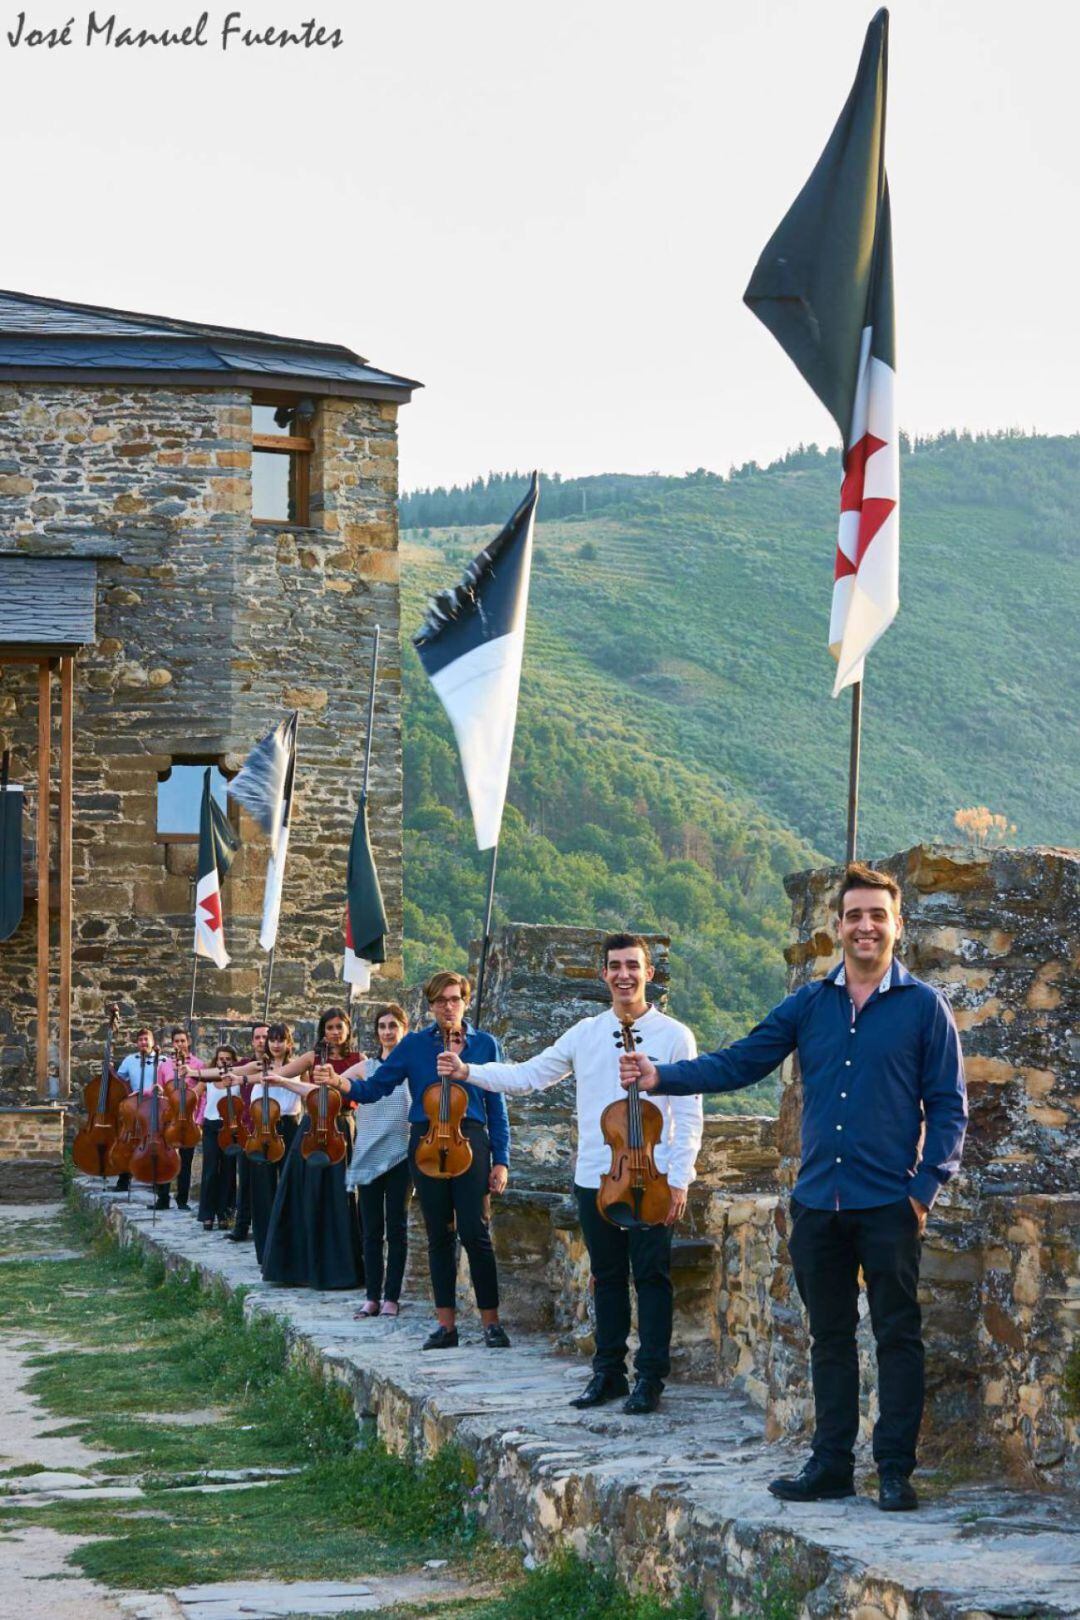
616 1255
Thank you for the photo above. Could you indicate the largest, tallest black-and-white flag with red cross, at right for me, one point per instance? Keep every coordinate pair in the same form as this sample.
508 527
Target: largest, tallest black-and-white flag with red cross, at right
823 288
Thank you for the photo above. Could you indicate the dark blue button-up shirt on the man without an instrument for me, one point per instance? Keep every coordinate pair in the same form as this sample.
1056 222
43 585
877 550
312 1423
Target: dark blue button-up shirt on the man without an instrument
872 1083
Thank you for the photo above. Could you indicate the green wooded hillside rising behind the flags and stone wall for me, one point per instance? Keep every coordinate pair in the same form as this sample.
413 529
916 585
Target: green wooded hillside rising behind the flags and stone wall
678 744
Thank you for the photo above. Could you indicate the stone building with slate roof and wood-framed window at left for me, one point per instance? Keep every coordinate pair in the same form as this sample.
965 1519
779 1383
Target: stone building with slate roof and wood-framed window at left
198 534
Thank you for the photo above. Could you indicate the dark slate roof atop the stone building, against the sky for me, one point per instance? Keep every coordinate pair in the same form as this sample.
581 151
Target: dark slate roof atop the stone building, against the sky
46 339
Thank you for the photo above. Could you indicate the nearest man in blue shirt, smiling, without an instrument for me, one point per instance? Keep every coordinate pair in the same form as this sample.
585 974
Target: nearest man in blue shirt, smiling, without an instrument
885 1114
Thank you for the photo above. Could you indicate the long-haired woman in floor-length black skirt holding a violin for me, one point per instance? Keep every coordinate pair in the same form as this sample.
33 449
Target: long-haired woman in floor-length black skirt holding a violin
313 1237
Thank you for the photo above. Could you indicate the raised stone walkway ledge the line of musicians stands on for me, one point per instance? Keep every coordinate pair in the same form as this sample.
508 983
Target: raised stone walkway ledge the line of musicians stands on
676 1496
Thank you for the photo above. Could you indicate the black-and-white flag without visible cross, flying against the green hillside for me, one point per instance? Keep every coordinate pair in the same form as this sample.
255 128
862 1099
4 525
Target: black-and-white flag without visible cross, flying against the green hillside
472 647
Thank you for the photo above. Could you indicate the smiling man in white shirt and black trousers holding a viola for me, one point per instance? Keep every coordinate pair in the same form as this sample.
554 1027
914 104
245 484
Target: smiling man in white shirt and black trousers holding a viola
590 1052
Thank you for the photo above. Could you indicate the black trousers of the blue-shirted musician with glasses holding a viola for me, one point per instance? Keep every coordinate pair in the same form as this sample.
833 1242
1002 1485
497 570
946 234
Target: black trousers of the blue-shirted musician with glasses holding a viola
457 1209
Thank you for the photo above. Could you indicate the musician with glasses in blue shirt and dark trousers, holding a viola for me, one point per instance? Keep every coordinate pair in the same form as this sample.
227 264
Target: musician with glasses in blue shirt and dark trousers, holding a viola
457 1206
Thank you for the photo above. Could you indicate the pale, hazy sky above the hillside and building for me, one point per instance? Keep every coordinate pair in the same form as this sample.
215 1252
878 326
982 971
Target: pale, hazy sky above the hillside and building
548 215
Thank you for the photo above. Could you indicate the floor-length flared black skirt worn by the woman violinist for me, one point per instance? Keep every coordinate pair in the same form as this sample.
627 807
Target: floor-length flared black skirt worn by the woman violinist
312 1238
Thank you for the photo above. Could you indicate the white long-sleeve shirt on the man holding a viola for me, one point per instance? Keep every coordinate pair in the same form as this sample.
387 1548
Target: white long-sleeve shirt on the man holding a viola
590 1052
